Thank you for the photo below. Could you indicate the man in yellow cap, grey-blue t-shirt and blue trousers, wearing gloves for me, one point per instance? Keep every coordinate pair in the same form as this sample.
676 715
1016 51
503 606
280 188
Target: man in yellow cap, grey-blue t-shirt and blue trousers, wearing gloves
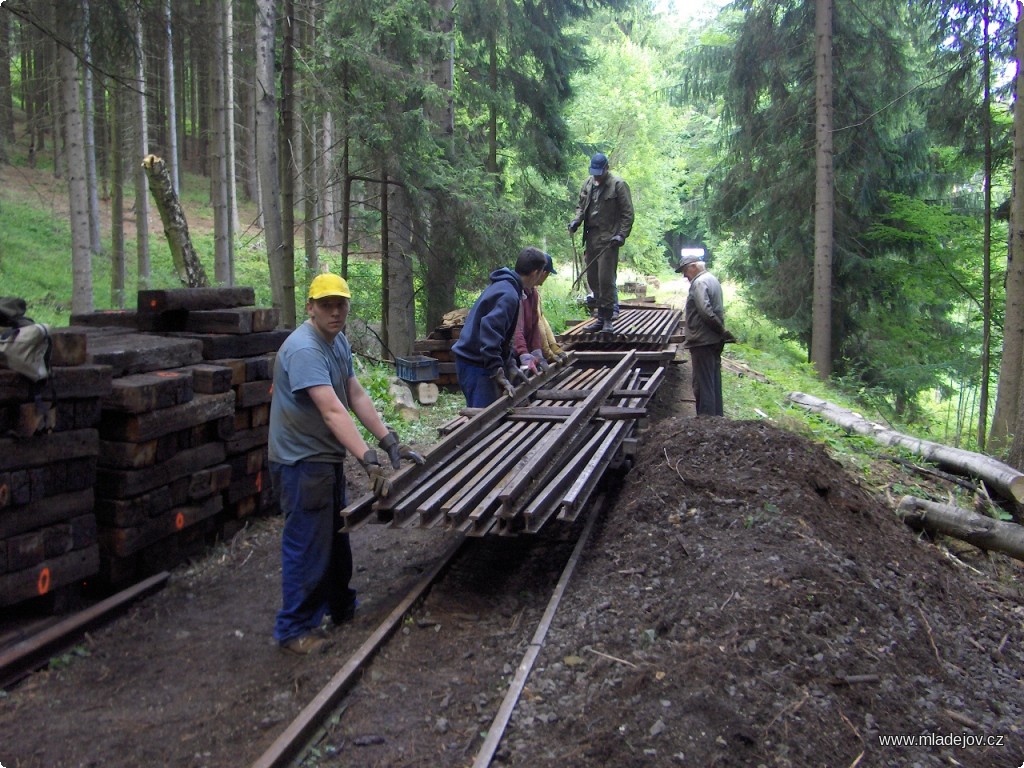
315 388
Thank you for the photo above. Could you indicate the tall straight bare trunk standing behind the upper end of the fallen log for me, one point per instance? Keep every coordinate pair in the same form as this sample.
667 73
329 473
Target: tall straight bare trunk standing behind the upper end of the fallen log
824 195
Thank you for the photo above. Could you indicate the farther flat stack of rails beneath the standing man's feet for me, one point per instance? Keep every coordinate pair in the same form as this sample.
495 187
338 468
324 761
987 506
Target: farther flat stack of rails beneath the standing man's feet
646 327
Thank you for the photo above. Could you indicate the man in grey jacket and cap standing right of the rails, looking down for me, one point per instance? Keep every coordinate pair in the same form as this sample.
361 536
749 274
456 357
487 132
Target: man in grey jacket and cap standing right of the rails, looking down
706 334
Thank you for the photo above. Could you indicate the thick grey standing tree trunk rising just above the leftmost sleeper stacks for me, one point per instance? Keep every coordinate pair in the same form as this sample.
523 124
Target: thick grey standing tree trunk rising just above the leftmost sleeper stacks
78 192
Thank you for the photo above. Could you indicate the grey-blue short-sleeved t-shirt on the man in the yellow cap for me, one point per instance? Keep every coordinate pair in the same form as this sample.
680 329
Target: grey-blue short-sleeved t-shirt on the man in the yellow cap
298 432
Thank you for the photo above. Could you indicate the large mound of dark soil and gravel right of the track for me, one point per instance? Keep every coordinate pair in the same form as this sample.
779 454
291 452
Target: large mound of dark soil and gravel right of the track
748 604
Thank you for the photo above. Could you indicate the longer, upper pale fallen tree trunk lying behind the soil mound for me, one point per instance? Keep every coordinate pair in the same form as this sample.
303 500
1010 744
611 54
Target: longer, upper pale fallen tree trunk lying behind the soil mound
1000 478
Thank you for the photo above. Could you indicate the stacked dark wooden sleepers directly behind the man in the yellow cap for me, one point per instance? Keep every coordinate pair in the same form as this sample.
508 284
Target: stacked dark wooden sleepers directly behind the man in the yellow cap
184 434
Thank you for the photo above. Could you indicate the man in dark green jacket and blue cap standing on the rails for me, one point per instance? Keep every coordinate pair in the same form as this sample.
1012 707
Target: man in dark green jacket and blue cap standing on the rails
606 210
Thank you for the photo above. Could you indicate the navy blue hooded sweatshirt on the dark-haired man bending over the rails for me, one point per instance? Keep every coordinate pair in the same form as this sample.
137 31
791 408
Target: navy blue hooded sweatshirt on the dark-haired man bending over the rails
487 338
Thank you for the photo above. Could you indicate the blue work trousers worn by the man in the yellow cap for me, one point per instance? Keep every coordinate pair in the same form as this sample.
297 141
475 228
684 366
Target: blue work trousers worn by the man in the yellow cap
316 560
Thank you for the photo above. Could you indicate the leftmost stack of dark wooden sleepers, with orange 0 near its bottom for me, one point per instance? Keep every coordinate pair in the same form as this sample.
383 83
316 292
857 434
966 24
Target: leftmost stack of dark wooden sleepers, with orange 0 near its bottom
50 445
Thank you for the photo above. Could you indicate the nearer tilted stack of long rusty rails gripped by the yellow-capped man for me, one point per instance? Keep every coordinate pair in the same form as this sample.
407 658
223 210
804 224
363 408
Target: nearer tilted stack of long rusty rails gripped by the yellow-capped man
513 467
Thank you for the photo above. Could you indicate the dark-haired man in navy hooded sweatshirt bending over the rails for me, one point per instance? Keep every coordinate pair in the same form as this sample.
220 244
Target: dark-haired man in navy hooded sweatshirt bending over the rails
484 355
